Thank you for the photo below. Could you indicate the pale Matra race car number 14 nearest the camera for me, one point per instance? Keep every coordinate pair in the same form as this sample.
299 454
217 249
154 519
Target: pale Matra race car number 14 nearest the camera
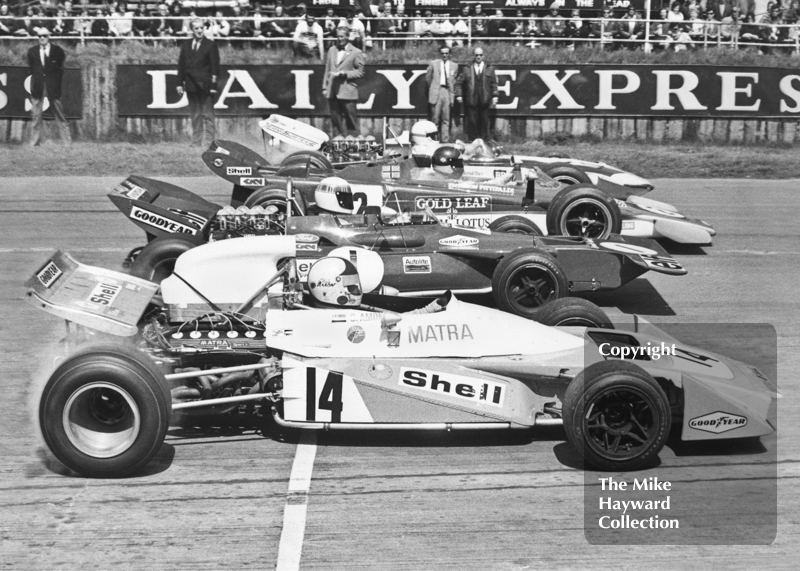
325 361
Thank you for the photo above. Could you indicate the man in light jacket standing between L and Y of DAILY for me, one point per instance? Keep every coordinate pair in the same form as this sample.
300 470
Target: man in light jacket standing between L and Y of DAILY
344 63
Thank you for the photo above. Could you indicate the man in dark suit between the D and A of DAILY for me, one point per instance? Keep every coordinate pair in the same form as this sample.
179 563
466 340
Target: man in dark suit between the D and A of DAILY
198 70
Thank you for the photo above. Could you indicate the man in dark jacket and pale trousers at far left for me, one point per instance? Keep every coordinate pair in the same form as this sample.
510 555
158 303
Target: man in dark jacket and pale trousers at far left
46 64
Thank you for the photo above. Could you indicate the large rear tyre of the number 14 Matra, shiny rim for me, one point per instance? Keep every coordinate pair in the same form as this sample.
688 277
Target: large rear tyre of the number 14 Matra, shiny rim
105 411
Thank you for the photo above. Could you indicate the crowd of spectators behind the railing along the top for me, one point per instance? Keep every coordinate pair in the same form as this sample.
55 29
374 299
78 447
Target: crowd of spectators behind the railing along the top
679 25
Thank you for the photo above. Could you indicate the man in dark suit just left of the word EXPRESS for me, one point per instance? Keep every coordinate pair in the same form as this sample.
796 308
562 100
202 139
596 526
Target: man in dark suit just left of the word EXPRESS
476 87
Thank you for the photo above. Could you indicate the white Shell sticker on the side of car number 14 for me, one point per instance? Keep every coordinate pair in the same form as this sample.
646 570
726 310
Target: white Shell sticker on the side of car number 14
479 391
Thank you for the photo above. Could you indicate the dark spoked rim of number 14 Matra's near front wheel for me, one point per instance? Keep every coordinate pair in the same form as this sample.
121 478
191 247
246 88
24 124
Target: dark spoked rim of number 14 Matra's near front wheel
620 423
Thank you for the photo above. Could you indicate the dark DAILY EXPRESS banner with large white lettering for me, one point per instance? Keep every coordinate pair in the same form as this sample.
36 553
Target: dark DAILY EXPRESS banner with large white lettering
525 90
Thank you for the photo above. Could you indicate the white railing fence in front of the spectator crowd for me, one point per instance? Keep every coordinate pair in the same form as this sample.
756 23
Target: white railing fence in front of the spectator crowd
781 38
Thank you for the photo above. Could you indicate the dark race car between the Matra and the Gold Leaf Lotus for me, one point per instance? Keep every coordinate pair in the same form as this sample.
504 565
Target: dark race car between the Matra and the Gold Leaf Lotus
421 257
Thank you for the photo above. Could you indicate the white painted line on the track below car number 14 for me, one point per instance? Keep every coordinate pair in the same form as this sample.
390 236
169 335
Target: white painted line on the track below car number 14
294 513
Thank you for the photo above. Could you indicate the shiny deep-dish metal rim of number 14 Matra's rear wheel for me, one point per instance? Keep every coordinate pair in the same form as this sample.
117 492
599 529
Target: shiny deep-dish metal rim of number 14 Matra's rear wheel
101 420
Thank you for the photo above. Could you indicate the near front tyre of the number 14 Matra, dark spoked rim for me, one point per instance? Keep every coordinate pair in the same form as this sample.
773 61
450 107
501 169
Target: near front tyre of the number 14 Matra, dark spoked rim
616 415
